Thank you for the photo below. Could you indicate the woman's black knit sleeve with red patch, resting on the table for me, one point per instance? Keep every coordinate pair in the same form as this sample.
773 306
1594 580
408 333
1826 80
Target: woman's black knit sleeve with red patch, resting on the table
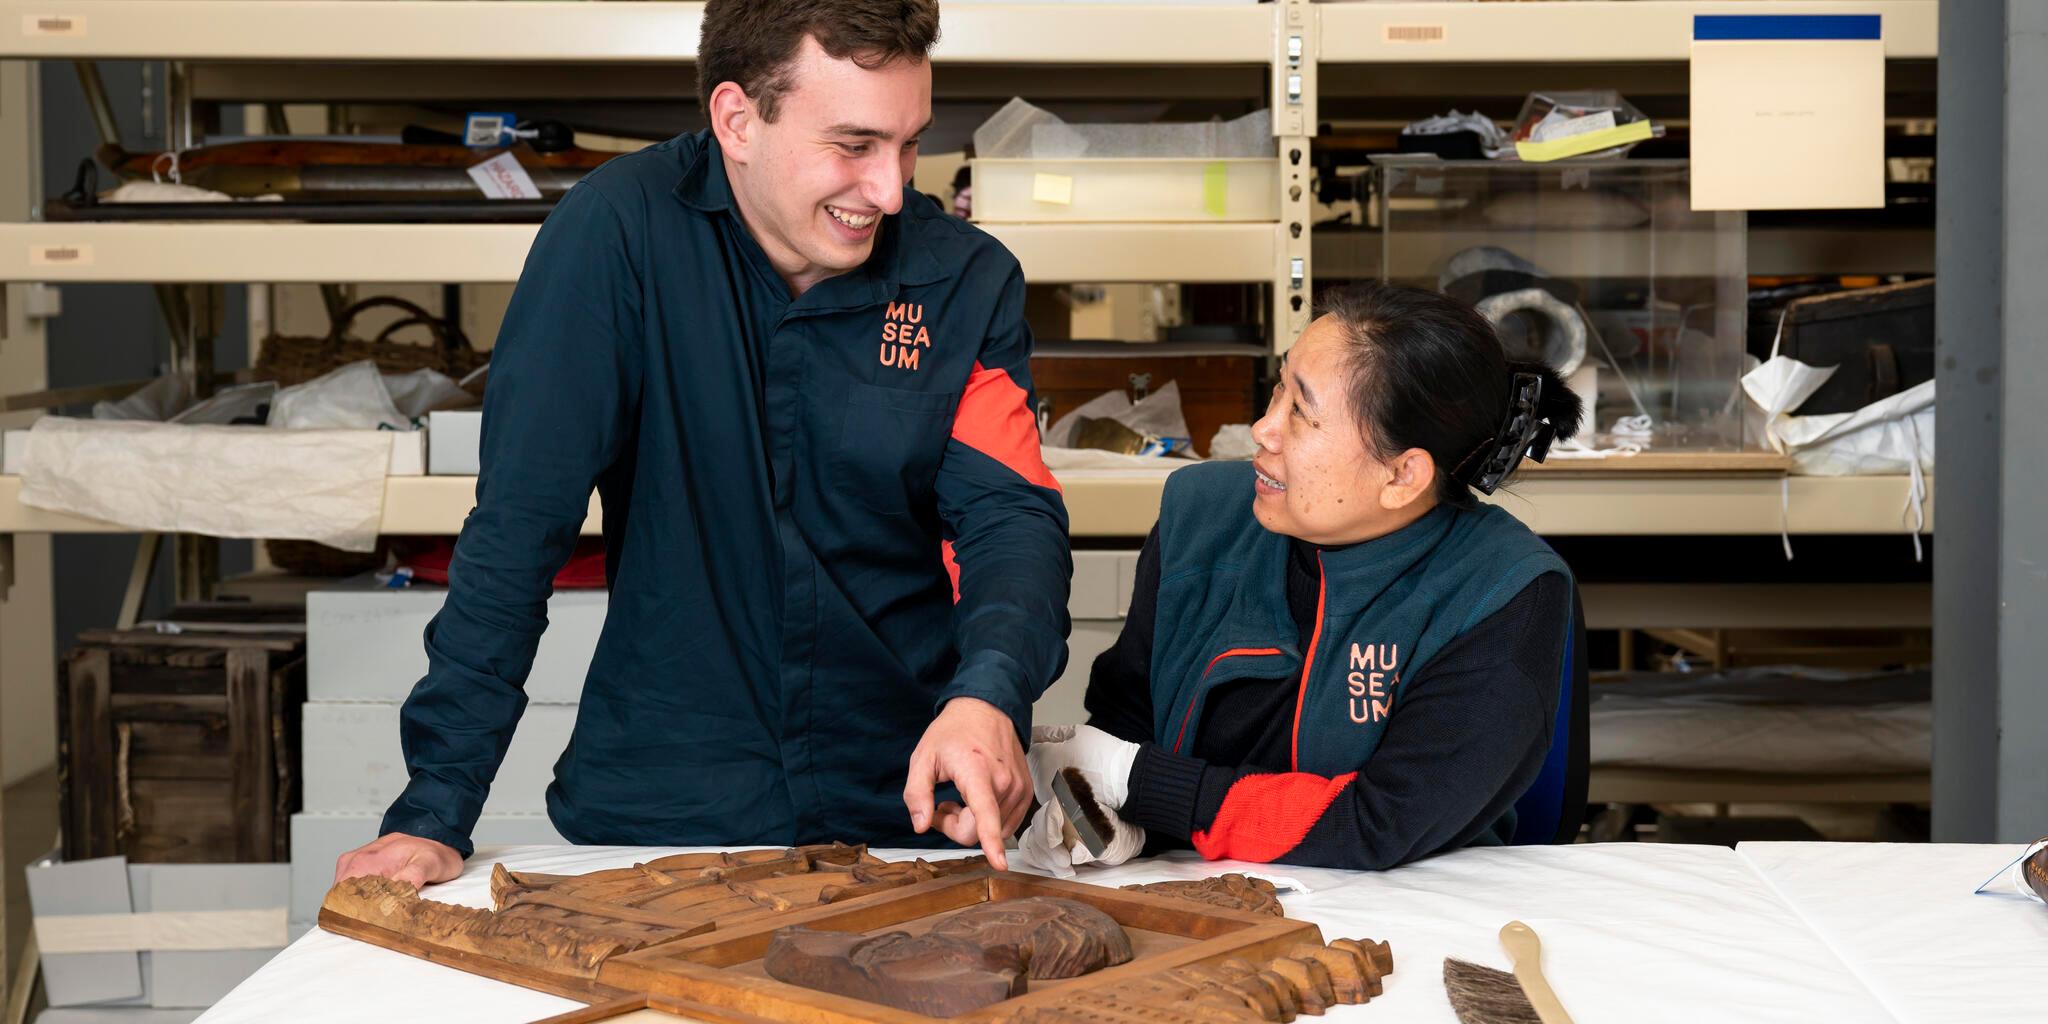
1465 742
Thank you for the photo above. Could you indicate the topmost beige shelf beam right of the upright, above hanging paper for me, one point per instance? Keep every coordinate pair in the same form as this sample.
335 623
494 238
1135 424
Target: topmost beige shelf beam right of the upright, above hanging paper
1560 32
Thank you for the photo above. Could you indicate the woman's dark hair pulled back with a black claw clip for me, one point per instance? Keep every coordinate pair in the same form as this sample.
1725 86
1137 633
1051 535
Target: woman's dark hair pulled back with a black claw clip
1426 372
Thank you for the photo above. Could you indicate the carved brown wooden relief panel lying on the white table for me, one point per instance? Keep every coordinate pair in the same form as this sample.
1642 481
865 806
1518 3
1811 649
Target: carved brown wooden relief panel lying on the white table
828 935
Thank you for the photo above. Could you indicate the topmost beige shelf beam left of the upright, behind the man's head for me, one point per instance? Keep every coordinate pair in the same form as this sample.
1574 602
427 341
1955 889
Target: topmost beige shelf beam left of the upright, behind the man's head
587 32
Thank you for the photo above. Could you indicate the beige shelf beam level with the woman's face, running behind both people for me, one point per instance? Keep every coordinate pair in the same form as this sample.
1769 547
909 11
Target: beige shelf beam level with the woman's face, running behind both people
1125 505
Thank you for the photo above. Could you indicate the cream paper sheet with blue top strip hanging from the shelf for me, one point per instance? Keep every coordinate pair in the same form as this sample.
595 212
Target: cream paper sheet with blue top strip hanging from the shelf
1787 112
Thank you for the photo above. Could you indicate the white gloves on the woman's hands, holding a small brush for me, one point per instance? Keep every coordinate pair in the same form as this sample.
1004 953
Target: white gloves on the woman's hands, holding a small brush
1105 763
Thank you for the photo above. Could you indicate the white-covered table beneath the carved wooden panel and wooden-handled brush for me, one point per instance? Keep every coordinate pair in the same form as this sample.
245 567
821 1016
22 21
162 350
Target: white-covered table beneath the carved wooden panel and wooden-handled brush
1633 933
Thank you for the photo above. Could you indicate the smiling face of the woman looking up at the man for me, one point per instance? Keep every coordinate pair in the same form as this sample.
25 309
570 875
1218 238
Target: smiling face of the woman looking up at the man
1318 476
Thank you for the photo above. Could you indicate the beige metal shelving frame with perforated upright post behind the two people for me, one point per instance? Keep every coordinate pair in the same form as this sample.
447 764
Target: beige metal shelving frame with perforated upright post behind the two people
247 46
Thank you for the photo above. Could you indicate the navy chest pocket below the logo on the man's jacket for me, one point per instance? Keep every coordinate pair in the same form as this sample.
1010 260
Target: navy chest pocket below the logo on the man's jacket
890 447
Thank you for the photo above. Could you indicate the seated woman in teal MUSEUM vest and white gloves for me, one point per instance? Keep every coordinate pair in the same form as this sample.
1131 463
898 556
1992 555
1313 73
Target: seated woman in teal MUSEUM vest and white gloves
1338 656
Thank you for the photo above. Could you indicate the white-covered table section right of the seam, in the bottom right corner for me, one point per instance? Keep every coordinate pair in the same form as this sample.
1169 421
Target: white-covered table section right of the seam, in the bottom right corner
1904 921
